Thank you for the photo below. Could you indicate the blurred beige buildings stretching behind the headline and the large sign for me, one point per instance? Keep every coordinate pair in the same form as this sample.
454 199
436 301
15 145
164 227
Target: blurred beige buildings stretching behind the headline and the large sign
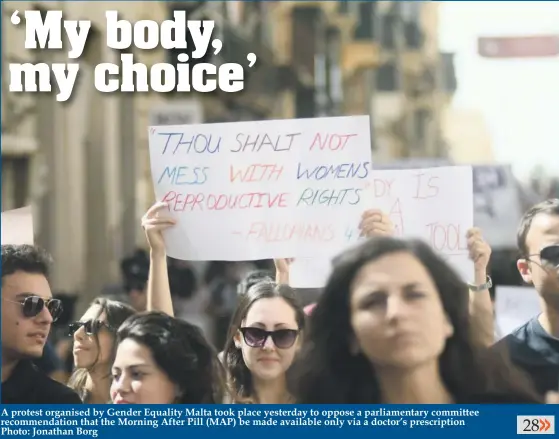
84 164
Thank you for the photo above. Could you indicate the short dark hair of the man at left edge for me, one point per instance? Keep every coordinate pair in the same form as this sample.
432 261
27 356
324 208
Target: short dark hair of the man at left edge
26 258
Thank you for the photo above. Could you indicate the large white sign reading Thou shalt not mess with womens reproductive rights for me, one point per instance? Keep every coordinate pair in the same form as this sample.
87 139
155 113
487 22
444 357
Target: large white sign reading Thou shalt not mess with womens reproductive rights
256 190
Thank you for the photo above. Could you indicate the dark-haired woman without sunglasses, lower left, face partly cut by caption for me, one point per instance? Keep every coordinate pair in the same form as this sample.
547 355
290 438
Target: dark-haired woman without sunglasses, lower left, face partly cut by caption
163 360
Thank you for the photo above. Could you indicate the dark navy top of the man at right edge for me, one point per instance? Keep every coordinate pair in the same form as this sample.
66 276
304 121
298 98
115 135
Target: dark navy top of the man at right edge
535 352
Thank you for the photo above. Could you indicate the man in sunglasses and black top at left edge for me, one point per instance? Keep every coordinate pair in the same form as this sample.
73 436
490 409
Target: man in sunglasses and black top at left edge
28 311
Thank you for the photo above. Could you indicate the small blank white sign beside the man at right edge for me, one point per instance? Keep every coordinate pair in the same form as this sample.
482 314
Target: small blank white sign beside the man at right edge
514 306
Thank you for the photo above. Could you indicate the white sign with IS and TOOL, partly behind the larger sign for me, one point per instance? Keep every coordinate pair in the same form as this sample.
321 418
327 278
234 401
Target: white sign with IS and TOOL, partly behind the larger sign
435 205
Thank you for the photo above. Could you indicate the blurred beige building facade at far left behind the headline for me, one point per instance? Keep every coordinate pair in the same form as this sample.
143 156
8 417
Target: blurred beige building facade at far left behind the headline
81 164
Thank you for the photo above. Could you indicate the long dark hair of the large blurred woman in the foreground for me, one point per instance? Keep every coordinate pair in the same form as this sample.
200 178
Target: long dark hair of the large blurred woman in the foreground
326 370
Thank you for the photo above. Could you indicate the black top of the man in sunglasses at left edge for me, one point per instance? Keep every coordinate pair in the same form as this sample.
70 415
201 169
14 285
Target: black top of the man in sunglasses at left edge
28 385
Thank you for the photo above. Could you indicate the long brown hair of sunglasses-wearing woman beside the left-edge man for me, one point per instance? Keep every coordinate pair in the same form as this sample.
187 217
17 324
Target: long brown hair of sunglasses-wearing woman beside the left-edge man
115 314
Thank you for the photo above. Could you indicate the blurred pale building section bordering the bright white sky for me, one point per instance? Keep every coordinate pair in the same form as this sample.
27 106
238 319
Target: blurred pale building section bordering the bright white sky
414 83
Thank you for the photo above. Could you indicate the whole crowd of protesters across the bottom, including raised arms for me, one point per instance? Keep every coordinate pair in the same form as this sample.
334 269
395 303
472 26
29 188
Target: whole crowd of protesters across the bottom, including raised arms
394 324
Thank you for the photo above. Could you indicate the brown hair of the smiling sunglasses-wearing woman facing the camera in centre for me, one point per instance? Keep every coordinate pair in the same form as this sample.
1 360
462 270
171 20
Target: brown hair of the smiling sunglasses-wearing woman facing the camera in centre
240 378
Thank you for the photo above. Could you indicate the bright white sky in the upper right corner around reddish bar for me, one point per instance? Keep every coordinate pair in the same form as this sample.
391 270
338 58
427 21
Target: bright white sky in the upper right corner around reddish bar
519 98
